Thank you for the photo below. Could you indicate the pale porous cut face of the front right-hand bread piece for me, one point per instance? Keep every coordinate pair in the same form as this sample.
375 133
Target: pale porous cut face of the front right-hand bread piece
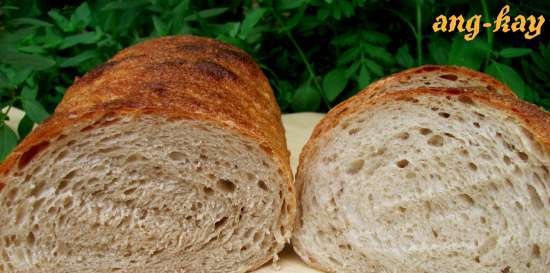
427 185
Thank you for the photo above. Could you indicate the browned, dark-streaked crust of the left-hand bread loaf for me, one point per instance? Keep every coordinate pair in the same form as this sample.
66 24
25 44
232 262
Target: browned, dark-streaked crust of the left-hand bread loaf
177 77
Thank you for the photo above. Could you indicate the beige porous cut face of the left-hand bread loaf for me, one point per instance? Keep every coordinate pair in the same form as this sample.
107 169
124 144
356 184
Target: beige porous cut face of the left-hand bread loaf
144 195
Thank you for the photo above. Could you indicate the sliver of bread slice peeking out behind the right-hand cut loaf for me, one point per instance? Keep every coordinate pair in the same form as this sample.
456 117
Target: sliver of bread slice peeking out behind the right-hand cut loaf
435 76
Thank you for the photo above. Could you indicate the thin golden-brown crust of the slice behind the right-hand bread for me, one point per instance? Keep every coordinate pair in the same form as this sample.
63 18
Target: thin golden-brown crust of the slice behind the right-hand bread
448 72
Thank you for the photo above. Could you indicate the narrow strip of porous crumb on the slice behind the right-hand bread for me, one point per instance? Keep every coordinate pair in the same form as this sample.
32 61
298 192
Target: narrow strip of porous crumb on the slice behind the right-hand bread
435 78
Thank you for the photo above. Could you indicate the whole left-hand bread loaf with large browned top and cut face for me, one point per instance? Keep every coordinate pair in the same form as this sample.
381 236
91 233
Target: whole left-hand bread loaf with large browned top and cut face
170 157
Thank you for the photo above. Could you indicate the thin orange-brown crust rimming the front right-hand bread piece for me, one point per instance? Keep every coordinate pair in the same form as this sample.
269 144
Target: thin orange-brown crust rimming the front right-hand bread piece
535 119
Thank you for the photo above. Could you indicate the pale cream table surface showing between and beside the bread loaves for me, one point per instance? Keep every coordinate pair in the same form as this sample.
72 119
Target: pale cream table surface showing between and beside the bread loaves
298 129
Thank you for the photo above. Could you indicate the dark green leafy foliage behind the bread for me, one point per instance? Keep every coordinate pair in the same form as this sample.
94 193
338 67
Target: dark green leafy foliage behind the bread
316 53
